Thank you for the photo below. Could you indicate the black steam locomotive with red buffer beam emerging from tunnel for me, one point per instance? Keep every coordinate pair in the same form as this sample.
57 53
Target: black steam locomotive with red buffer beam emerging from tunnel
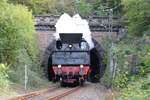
71 59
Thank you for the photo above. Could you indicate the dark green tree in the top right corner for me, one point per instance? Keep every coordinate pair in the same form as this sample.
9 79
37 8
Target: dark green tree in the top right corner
137 12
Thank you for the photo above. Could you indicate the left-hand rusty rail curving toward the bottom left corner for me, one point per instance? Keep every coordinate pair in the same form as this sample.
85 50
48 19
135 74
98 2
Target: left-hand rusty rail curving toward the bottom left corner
32 94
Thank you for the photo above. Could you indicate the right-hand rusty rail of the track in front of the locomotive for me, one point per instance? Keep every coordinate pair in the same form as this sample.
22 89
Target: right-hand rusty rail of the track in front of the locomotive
59 96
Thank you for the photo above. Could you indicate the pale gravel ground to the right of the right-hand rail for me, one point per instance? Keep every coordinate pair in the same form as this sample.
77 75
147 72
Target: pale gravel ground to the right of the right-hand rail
90 91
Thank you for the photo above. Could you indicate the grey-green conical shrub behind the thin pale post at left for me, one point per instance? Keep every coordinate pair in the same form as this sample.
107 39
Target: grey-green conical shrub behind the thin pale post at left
34 71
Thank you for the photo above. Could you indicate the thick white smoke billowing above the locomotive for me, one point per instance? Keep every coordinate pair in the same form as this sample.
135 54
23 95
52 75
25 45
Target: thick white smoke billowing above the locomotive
67 24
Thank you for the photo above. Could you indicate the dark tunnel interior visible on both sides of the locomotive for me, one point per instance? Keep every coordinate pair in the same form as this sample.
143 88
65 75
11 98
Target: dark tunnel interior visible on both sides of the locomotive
96 56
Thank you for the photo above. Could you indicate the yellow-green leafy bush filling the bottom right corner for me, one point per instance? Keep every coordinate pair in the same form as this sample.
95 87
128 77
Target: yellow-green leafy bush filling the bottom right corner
137 90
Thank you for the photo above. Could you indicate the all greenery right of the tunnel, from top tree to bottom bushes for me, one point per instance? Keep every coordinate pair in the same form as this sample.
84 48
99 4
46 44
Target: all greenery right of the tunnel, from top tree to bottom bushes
129 59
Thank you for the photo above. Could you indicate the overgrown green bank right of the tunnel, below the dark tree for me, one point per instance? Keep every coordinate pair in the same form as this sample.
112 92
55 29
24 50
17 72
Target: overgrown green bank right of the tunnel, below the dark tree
130 63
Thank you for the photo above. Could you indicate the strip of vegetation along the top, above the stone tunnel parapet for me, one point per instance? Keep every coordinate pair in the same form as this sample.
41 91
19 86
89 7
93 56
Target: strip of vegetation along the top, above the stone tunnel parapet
83 7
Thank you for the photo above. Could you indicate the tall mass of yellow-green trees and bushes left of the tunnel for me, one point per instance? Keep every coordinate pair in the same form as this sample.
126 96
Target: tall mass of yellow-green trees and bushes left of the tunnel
18 46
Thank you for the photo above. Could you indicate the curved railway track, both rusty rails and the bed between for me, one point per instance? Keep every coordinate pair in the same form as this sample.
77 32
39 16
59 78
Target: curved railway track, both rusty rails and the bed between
47 94
